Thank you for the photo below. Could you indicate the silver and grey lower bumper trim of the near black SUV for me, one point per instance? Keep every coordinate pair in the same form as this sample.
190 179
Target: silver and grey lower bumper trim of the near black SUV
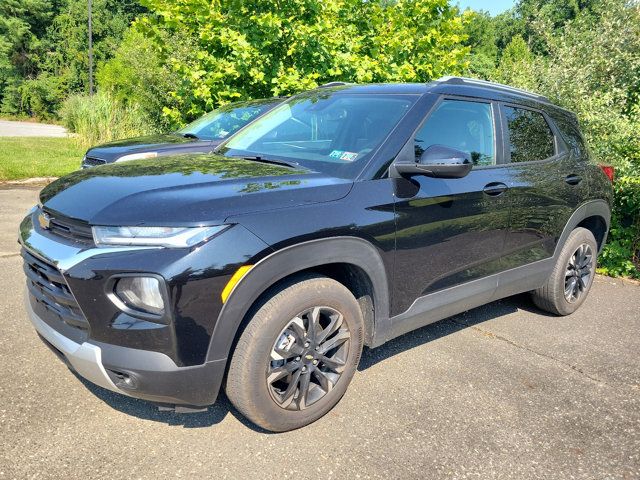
152 375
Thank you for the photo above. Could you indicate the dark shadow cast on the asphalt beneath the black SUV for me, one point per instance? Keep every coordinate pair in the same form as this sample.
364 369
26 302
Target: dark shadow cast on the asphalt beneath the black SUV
215 413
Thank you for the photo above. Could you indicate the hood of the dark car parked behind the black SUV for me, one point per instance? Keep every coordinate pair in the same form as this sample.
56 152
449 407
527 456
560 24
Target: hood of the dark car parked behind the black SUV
151 143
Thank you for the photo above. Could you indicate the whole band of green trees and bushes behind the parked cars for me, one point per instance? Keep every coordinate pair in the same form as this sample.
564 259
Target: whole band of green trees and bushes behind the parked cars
161 63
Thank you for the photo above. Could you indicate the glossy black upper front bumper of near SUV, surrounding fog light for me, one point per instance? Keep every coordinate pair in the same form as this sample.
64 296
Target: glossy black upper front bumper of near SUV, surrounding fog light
193 278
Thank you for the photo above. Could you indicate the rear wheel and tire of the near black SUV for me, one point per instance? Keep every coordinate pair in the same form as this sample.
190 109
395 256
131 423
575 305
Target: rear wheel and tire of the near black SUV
552 296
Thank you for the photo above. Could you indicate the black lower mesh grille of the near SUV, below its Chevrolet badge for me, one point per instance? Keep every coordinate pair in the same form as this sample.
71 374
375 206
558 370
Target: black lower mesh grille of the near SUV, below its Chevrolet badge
50 290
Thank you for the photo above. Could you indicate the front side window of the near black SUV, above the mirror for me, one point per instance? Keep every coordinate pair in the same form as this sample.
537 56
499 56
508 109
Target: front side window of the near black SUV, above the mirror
463 125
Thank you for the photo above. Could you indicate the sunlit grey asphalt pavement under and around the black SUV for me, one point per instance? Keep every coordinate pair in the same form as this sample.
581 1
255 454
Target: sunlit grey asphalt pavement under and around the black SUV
502 391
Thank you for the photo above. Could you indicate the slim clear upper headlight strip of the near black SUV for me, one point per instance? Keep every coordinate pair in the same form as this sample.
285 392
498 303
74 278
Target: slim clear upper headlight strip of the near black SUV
172 237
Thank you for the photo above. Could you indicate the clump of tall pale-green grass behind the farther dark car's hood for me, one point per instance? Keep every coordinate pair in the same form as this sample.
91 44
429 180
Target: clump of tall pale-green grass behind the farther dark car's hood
101 118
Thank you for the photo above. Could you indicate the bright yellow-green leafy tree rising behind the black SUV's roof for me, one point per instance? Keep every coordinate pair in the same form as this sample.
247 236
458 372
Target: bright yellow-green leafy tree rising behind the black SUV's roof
243 50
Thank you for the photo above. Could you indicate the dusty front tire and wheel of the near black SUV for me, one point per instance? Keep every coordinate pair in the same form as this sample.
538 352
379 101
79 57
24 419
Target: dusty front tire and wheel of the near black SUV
278 320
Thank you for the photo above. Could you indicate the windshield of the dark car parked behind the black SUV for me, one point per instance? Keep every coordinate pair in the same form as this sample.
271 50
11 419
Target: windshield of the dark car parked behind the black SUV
223 122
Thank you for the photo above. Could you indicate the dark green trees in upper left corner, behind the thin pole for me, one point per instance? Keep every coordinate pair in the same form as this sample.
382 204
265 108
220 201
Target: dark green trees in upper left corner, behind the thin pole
43 49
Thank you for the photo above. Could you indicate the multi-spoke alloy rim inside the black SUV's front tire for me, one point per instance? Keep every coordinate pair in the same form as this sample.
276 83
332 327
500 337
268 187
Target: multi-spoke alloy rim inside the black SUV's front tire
308 358
